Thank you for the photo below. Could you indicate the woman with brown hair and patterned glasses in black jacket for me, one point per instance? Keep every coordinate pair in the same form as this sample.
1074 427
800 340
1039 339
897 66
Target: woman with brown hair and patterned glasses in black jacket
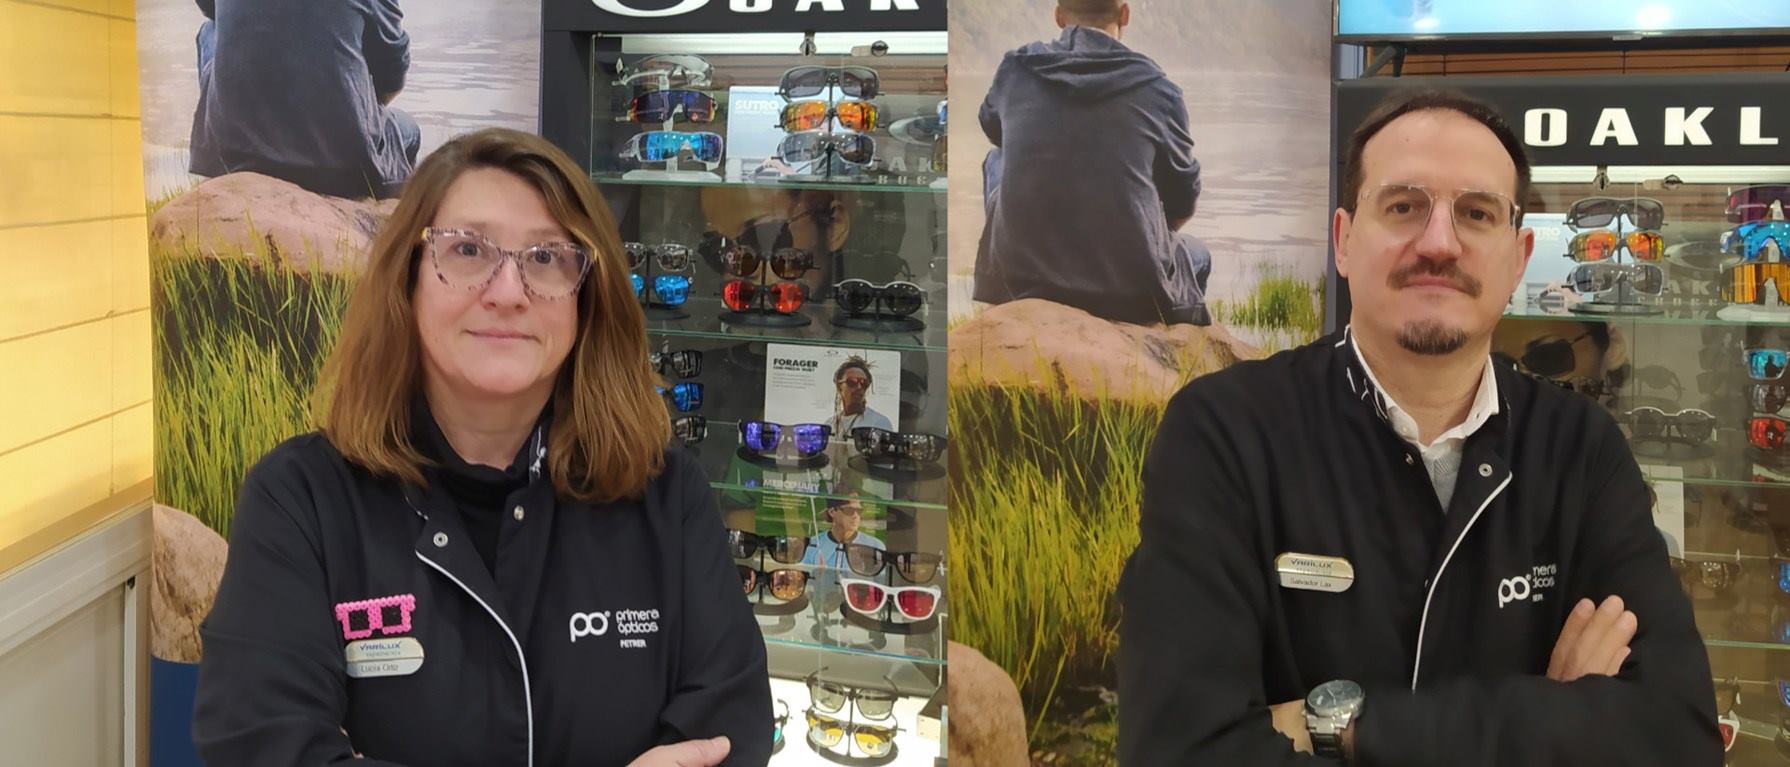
488 556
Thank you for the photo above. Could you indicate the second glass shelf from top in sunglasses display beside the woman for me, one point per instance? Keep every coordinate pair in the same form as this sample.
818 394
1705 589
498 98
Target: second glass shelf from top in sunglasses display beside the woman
706 322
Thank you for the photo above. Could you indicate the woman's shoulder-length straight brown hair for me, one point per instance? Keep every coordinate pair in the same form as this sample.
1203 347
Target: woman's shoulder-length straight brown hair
609 426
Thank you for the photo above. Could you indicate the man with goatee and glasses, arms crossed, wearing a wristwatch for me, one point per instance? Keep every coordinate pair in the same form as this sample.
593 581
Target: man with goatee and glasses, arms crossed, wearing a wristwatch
1392 510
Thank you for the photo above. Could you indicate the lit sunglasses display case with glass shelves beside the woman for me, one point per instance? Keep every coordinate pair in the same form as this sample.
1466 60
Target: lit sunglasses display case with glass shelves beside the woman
781 198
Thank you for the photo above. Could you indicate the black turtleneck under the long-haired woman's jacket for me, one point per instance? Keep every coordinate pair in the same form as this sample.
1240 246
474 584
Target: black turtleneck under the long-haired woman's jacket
481 494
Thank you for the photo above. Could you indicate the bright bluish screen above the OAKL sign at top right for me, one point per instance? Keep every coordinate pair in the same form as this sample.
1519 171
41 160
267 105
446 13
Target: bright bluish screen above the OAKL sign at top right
1401 21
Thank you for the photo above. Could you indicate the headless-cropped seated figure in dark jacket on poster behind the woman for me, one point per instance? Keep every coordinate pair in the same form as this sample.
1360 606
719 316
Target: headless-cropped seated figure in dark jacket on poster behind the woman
300 90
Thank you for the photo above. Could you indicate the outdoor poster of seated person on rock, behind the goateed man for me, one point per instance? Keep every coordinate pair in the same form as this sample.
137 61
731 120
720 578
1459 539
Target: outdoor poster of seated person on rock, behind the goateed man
1145 202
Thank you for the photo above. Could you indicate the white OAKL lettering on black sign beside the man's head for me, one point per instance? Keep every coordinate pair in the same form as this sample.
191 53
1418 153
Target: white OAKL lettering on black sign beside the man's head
1678 126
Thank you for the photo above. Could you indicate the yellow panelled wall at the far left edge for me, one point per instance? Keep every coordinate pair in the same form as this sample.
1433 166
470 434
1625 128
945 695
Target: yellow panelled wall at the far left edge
74 271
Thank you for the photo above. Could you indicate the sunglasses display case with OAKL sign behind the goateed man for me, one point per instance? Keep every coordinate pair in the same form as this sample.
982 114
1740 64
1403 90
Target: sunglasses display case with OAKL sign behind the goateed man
1655 288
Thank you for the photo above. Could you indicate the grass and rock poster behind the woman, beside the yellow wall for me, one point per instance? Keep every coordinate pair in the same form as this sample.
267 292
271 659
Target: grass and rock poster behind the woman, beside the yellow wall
277 135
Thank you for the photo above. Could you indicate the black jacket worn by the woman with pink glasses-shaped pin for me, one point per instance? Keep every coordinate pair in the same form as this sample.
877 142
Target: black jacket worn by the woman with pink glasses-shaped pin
606 632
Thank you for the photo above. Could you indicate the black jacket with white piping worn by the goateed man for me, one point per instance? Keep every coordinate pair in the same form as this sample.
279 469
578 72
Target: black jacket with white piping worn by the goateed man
1293 454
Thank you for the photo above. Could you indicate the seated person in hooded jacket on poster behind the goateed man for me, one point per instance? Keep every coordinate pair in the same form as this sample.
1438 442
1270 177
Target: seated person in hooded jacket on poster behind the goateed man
1091 178
